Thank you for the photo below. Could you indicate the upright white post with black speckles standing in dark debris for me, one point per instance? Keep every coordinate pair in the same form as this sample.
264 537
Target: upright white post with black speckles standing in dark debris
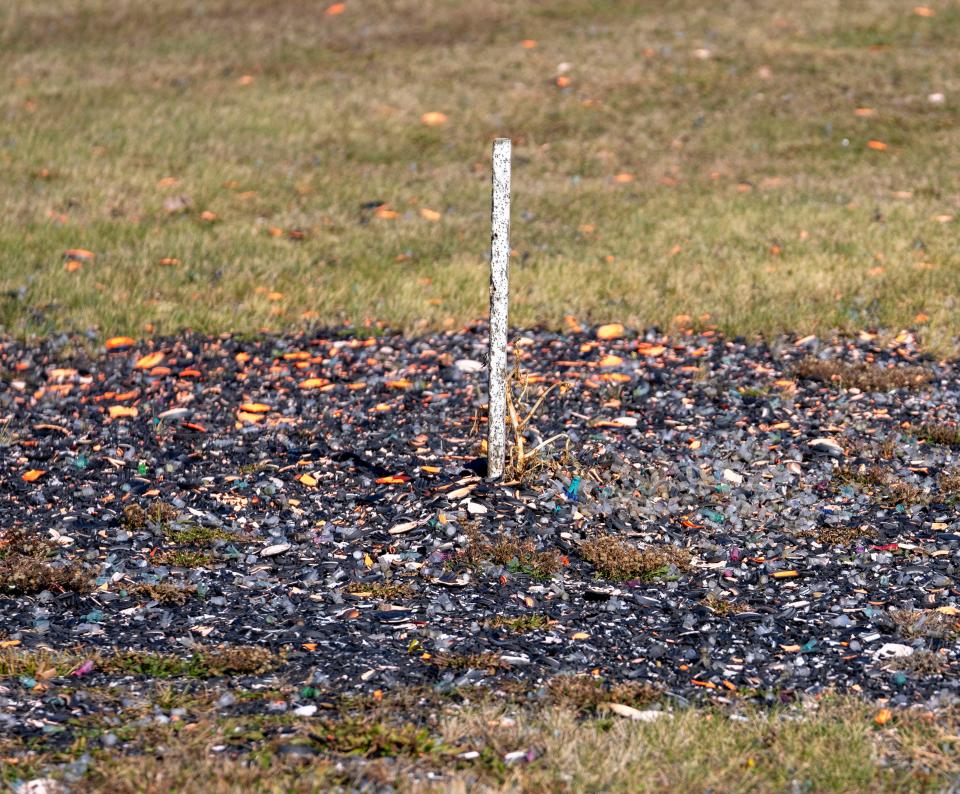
499 309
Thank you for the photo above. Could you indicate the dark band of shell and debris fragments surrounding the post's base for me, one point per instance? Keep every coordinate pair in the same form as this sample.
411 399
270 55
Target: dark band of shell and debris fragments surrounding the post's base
306 516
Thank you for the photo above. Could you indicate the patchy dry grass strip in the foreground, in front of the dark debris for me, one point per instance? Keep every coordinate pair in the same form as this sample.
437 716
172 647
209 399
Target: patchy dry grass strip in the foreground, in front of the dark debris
175 737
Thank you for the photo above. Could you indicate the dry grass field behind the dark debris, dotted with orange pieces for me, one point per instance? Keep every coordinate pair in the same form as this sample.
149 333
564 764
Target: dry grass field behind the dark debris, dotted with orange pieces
778 167
